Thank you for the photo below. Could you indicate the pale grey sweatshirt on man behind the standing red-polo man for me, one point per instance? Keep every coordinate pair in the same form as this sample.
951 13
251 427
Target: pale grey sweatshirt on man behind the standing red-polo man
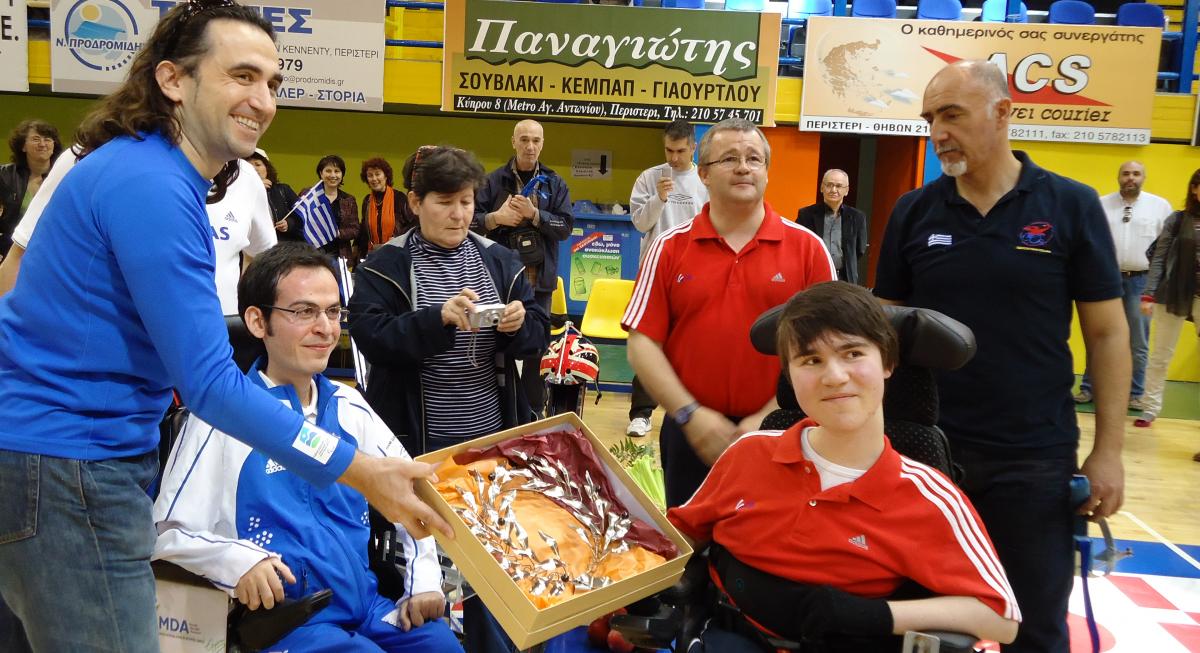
651 215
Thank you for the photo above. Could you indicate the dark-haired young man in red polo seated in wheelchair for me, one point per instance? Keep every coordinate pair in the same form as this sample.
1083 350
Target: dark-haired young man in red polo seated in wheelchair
817 525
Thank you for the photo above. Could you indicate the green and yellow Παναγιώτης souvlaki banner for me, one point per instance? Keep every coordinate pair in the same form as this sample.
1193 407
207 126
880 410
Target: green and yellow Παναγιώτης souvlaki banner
609 63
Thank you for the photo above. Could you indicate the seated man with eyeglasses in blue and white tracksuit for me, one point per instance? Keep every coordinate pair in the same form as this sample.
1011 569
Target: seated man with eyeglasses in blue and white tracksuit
237 518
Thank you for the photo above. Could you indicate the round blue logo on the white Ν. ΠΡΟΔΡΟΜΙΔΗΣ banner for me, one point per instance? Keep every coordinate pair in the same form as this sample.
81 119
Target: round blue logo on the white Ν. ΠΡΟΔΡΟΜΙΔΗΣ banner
100 34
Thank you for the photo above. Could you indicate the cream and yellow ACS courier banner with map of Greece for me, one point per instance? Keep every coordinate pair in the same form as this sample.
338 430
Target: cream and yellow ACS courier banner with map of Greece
1070 83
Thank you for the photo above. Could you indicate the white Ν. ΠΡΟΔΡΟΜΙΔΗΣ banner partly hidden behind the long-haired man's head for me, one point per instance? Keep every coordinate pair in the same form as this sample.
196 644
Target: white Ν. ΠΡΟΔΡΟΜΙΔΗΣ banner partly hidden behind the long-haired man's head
331 52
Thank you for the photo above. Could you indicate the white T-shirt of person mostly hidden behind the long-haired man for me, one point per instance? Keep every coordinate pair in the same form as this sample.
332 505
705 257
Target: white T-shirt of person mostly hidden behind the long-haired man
242 223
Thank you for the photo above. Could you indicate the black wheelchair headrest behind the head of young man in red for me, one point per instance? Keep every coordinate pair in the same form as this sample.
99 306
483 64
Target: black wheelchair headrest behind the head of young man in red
928 339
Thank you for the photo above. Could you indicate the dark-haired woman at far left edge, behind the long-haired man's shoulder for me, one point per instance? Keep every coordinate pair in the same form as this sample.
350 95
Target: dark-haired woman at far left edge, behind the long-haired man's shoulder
34 146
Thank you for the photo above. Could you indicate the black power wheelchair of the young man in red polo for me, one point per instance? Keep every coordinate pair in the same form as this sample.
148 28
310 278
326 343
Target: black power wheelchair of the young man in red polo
928 342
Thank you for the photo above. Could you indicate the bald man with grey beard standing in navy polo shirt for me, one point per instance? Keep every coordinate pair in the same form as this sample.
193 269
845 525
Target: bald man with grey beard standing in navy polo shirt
1007 248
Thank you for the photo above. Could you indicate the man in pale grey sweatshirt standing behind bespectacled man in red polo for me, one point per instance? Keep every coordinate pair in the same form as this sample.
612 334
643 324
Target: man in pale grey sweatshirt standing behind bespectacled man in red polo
664 196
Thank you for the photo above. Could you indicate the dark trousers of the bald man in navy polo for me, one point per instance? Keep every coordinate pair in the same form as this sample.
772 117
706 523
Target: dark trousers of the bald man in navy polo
1027 507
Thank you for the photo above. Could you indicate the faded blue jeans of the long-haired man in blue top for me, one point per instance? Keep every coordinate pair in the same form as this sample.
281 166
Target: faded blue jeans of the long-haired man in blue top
76 540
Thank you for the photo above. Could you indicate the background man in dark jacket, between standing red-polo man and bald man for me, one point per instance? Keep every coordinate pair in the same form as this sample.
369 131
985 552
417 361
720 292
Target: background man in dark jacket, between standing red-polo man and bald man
842 227
